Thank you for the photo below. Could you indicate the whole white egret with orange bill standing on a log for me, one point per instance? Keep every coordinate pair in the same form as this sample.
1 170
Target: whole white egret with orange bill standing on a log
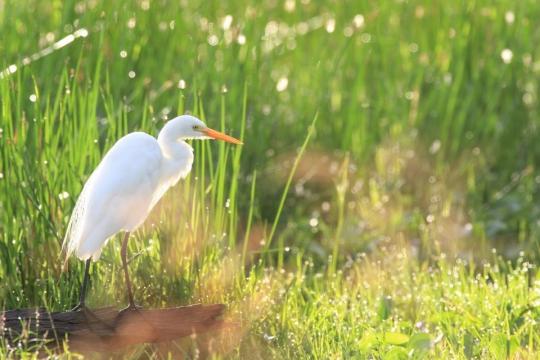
125 186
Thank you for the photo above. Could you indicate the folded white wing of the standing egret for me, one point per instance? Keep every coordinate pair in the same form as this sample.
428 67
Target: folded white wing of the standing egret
117 196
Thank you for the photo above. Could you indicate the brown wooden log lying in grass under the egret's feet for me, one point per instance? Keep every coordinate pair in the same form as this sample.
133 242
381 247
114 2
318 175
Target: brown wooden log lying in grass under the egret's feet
107 329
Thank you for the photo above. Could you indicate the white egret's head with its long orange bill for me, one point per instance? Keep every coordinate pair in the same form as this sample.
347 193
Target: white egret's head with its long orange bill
186 127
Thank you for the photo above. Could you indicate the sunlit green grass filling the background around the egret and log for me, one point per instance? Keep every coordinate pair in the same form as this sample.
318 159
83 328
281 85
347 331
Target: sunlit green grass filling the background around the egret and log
366 233
